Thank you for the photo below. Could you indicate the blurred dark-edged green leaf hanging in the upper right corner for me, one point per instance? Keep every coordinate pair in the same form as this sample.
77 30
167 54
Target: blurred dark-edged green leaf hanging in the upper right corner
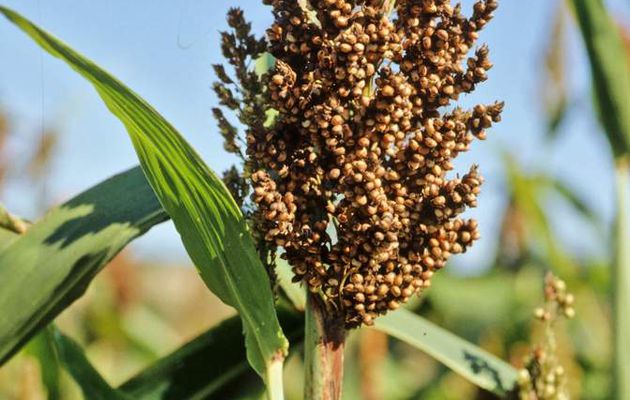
610 69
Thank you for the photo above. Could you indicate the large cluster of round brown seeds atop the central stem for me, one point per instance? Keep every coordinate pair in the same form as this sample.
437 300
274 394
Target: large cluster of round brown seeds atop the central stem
353 179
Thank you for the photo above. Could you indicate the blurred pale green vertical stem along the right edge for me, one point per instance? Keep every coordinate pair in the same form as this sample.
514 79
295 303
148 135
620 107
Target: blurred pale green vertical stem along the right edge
621 286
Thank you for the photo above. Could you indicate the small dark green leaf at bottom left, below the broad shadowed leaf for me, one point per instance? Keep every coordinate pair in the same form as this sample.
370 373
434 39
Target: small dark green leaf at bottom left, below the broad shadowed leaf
92 384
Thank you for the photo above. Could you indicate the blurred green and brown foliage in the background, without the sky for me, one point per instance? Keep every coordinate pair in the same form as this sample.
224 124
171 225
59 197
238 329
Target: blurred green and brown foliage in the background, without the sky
137 311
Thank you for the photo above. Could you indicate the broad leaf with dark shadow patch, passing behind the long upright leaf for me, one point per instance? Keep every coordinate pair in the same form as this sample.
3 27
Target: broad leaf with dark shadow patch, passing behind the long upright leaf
46 269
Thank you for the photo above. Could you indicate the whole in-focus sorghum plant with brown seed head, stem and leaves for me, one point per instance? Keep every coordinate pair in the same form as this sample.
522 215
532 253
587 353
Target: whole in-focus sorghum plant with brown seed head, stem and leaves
346 169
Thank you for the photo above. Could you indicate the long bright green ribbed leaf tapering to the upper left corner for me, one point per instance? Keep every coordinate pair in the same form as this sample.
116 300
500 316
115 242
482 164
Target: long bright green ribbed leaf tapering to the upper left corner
208 219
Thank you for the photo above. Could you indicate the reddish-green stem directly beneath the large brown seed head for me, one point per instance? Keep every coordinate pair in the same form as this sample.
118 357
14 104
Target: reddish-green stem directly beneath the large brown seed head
323 352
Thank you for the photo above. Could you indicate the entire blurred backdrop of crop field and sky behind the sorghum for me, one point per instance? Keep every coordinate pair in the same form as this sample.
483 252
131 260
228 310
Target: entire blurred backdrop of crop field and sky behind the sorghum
555 171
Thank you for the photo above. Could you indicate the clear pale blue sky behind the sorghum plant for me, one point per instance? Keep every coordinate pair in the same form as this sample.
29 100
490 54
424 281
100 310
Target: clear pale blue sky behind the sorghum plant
164 50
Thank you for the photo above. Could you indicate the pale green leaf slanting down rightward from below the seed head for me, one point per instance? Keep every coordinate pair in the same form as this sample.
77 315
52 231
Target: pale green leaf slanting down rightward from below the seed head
466 359
